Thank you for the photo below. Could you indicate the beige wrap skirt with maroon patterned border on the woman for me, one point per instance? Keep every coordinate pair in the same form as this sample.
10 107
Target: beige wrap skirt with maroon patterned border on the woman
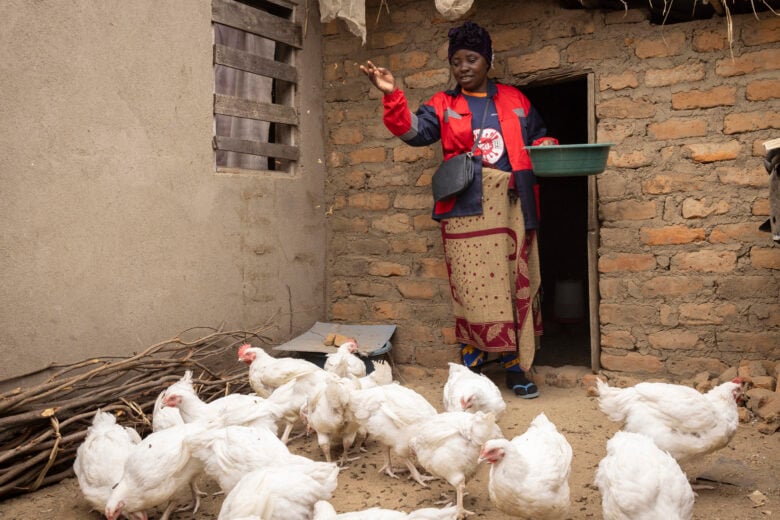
494 275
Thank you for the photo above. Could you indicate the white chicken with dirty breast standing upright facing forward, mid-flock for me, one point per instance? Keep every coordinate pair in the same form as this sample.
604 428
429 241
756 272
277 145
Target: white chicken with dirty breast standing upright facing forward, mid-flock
328 413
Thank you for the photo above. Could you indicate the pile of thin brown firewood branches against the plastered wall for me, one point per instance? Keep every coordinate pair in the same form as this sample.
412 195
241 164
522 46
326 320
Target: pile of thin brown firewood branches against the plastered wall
42 426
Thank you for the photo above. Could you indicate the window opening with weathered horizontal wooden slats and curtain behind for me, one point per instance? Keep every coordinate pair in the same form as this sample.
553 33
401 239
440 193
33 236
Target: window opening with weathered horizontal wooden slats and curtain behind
255 117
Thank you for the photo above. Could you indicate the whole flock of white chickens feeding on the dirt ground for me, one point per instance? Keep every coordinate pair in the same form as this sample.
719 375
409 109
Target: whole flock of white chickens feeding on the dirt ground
240 442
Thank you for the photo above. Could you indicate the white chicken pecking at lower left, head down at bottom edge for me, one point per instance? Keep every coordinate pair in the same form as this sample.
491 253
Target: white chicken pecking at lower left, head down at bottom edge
158 470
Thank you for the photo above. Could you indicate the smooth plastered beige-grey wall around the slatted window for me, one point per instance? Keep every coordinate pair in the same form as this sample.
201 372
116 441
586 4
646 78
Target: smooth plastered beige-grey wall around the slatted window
116 231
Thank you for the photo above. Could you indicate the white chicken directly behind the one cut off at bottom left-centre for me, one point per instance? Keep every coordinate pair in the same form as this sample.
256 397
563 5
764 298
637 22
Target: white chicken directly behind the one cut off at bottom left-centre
231 452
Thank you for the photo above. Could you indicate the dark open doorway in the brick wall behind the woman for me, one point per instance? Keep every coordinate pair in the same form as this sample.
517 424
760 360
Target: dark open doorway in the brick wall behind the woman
564 230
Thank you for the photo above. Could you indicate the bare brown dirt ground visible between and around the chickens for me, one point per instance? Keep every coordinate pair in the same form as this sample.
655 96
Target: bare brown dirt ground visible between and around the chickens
743 476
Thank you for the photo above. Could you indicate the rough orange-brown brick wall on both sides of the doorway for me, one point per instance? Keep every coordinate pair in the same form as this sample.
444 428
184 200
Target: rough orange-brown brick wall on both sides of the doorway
686 281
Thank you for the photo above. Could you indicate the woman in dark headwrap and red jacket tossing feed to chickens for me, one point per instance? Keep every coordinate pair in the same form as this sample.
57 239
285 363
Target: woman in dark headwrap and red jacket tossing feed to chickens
488 230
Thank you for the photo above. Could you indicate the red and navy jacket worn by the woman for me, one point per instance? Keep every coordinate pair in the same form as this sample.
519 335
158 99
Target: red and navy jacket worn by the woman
446 117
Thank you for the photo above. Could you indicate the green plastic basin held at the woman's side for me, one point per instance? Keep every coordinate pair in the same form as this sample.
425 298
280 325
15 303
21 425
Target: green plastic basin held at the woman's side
569 160
